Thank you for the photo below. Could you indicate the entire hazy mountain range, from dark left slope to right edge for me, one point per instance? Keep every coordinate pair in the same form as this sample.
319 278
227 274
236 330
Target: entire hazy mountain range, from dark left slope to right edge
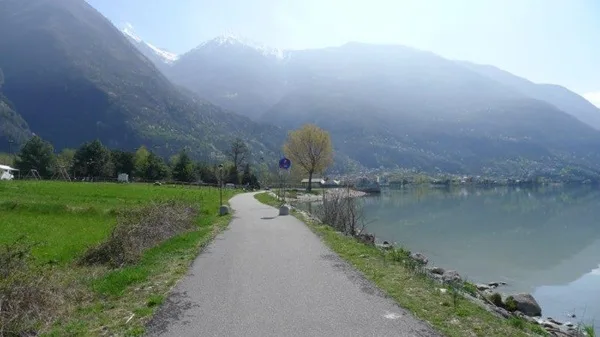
71 76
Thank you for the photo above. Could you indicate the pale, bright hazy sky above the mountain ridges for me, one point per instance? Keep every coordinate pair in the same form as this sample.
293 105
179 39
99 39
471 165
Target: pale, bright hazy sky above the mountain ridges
550 41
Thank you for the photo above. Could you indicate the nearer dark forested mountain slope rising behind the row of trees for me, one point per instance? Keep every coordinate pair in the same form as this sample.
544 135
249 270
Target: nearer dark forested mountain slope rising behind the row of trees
74 77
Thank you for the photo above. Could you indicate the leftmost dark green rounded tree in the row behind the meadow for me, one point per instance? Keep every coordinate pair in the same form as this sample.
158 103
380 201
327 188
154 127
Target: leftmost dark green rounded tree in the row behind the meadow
36 154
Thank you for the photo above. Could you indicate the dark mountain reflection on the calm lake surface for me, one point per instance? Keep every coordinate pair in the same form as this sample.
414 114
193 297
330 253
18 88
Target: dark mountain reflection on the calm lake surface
528 237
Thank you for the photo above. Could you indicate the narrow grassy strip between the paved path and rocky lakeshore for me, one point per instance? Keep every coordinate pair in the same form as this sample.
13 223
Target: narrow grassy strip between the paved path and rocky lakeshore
452 315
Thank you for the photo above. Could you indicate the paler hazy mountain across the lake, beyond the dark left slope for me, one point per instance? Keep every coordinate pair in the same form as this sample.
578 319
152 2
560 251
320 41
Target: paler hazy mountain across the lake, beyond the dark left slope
389 105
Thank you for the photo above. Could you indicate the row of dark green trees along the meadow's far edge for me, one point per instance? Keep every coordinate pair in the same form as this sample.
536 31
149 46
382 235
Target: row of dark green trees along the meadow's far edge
93 160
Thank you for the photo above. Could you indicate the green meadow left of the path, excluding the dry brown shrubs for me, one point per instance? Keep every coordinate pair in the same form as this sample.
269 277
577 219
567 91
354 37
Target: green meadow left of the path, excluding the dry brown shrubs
63 220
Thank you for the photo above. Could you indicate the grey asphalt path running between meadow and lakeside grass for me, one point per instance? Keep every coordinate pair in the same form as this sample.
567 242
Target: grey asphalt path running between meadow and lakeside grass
269 275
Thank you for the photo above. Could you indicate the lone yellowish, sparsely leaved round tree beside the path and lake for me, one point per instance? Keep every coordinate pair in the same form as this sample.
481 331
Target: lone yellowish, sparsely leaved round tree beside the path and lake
310 149
